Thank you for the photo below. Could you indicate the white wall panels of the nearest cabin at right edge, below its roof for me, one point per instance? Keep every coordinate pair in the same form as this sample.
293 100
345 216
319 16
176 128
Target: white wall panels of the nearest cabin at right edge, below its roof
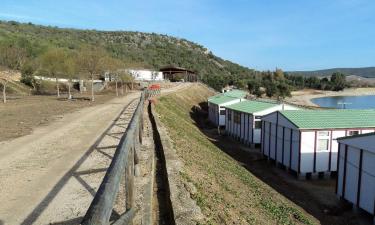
349 166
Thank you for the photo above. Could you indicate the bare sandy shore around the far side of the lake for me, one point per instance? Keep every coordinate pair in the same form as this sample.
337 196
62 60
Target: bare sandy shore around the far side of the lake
304 97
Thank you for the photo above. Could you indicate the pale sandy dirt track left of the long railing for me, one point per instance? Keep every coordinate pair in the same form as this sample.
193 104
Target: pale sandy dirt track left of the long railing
51 175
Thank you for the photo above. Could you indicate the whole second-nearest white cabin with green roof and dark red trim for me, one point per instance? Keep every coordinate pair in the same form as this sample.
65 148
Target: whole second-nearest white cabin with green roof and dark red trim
305 141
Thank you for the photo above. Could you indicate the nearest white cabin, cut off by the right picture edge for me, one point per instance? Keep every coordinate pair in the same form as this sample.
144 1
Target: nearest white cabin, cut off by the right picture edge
356 171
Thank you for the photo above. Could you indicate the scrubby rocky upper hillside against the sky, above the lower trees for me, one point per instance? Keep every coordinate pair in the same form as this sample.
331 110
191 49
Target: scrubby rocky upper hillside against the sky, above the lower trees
136 49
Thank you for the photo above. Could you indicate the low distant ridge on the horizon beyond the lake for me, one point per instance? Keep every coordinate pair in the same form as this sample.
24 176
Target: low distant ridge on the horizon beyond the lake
368 72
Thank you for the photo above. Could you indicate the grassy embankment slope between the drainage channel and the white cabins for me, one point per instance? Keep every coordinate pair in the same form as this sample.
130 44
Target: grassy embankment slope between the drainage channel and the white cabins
226 192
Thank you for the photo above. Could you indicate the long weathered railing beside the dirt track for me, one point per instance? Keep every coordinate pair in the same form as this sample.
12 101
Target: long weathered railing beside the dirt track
100 210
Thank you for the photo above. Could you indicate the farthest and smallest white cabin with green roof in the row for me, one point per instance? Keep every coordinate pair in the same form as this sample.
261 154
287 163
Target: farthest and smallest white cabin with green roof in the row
216 110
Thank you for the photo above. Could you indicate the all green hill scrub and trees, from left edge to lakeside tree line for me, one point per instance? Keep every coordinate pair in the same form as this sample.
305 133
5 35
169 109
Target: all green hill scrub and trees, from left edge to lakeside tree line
29 46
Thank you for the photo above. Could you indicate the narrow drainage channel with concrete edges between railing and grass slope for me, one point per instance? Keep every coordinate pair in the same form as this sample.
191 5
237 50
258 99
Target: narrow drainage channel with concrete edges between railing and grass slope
162 197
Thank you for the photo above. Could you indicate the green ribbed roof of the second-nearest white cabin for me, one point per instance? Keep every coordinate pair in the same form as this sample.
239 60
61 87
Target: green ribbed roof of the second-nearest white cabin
327 119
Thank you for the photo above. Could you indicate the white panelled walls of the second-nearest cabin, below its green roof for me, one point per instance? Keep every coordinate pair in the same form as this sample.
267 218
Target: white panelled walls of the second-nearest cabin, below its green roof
325 161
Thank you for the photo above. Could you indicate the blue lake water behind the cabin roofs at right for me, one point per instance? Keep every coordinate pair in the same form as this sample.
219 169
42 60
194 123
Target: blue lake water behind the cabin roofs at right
354 102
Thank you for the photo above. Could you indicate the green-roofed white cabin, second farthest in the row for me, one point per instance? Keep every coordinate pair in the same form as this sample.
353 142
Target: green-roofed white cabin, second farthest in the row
244 119
